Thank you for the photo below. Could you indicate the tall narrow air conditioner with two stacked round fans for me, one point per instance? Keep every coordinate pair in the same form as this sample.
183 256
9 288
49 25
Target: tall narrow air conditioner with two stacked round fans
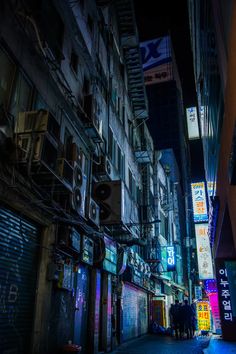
79 191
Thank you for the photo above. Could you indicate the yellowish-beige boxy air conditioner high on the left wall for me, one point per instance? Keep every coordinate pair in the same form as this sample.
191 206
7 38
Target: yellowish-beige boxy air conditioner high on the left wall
37 121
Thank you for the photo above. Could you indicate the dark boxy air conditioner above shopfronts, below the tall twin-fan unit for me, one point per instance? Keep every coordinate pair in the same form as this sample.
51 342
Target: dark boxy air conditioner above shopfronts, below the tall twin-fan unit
69 238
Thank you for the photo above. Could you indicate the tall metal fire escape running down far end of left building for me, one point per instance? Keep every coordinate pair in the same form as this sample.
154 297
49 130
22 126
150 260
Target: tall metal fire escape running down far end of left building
143 145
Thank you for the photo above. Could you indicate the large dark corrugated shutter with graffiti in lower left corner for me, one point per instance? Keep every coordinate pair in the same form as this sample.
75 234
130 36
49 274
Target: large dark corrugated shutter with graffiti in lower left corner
18 271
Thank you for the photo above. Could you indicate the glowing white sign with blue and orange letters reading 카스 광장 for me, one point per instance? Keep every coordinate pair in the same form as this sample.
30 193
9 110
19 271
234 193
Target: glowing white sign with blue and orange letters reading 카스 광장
199 202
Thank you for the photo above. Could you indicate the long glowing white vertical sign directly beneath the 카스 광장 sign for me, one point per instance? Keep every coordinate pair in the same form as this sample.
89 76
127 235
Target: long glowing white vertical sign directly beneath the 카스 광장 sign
204 258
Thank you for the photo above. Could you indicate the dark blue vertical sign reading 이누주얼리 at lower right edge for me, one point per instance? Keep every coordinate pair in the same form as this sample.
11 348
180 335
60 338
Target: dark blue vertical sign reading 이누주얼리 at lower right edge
228 320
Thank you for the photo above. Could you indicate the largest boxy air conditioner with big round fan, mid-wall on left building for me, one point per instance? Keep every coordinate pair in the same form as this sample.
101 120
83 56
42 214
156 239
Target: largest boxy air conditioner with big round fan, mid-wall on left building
110 198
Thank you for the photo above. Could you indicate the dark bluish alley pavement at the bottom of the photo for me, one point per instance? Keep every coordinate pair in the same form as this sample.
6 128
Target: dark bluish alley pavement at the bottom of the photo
156 344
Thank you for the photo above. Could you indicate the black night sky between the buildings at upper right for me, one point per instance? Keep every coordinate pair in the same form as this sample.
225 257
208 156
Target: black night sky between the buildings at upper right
171 17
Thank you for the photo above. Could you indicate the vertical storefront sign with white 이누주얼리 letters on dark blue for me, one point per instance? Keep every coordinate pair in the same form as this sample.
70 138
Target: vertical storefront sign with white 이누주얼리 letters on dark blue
224 292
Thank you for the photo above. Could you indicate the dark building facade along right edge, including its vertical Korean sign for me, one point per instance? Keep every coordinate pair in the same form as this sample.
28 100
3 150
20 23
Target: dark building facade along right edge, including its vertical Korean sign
212 26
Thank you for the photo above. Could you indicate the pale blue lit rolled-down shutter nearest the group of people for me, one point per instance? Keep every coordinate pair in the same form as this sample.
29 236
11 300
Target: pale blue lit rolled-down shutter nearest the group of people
135 312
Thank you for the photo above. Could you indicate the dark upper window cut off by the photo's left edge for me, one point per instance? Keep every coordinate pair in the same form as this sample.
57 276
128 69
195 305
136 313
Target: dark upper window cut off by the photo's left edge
7 72
